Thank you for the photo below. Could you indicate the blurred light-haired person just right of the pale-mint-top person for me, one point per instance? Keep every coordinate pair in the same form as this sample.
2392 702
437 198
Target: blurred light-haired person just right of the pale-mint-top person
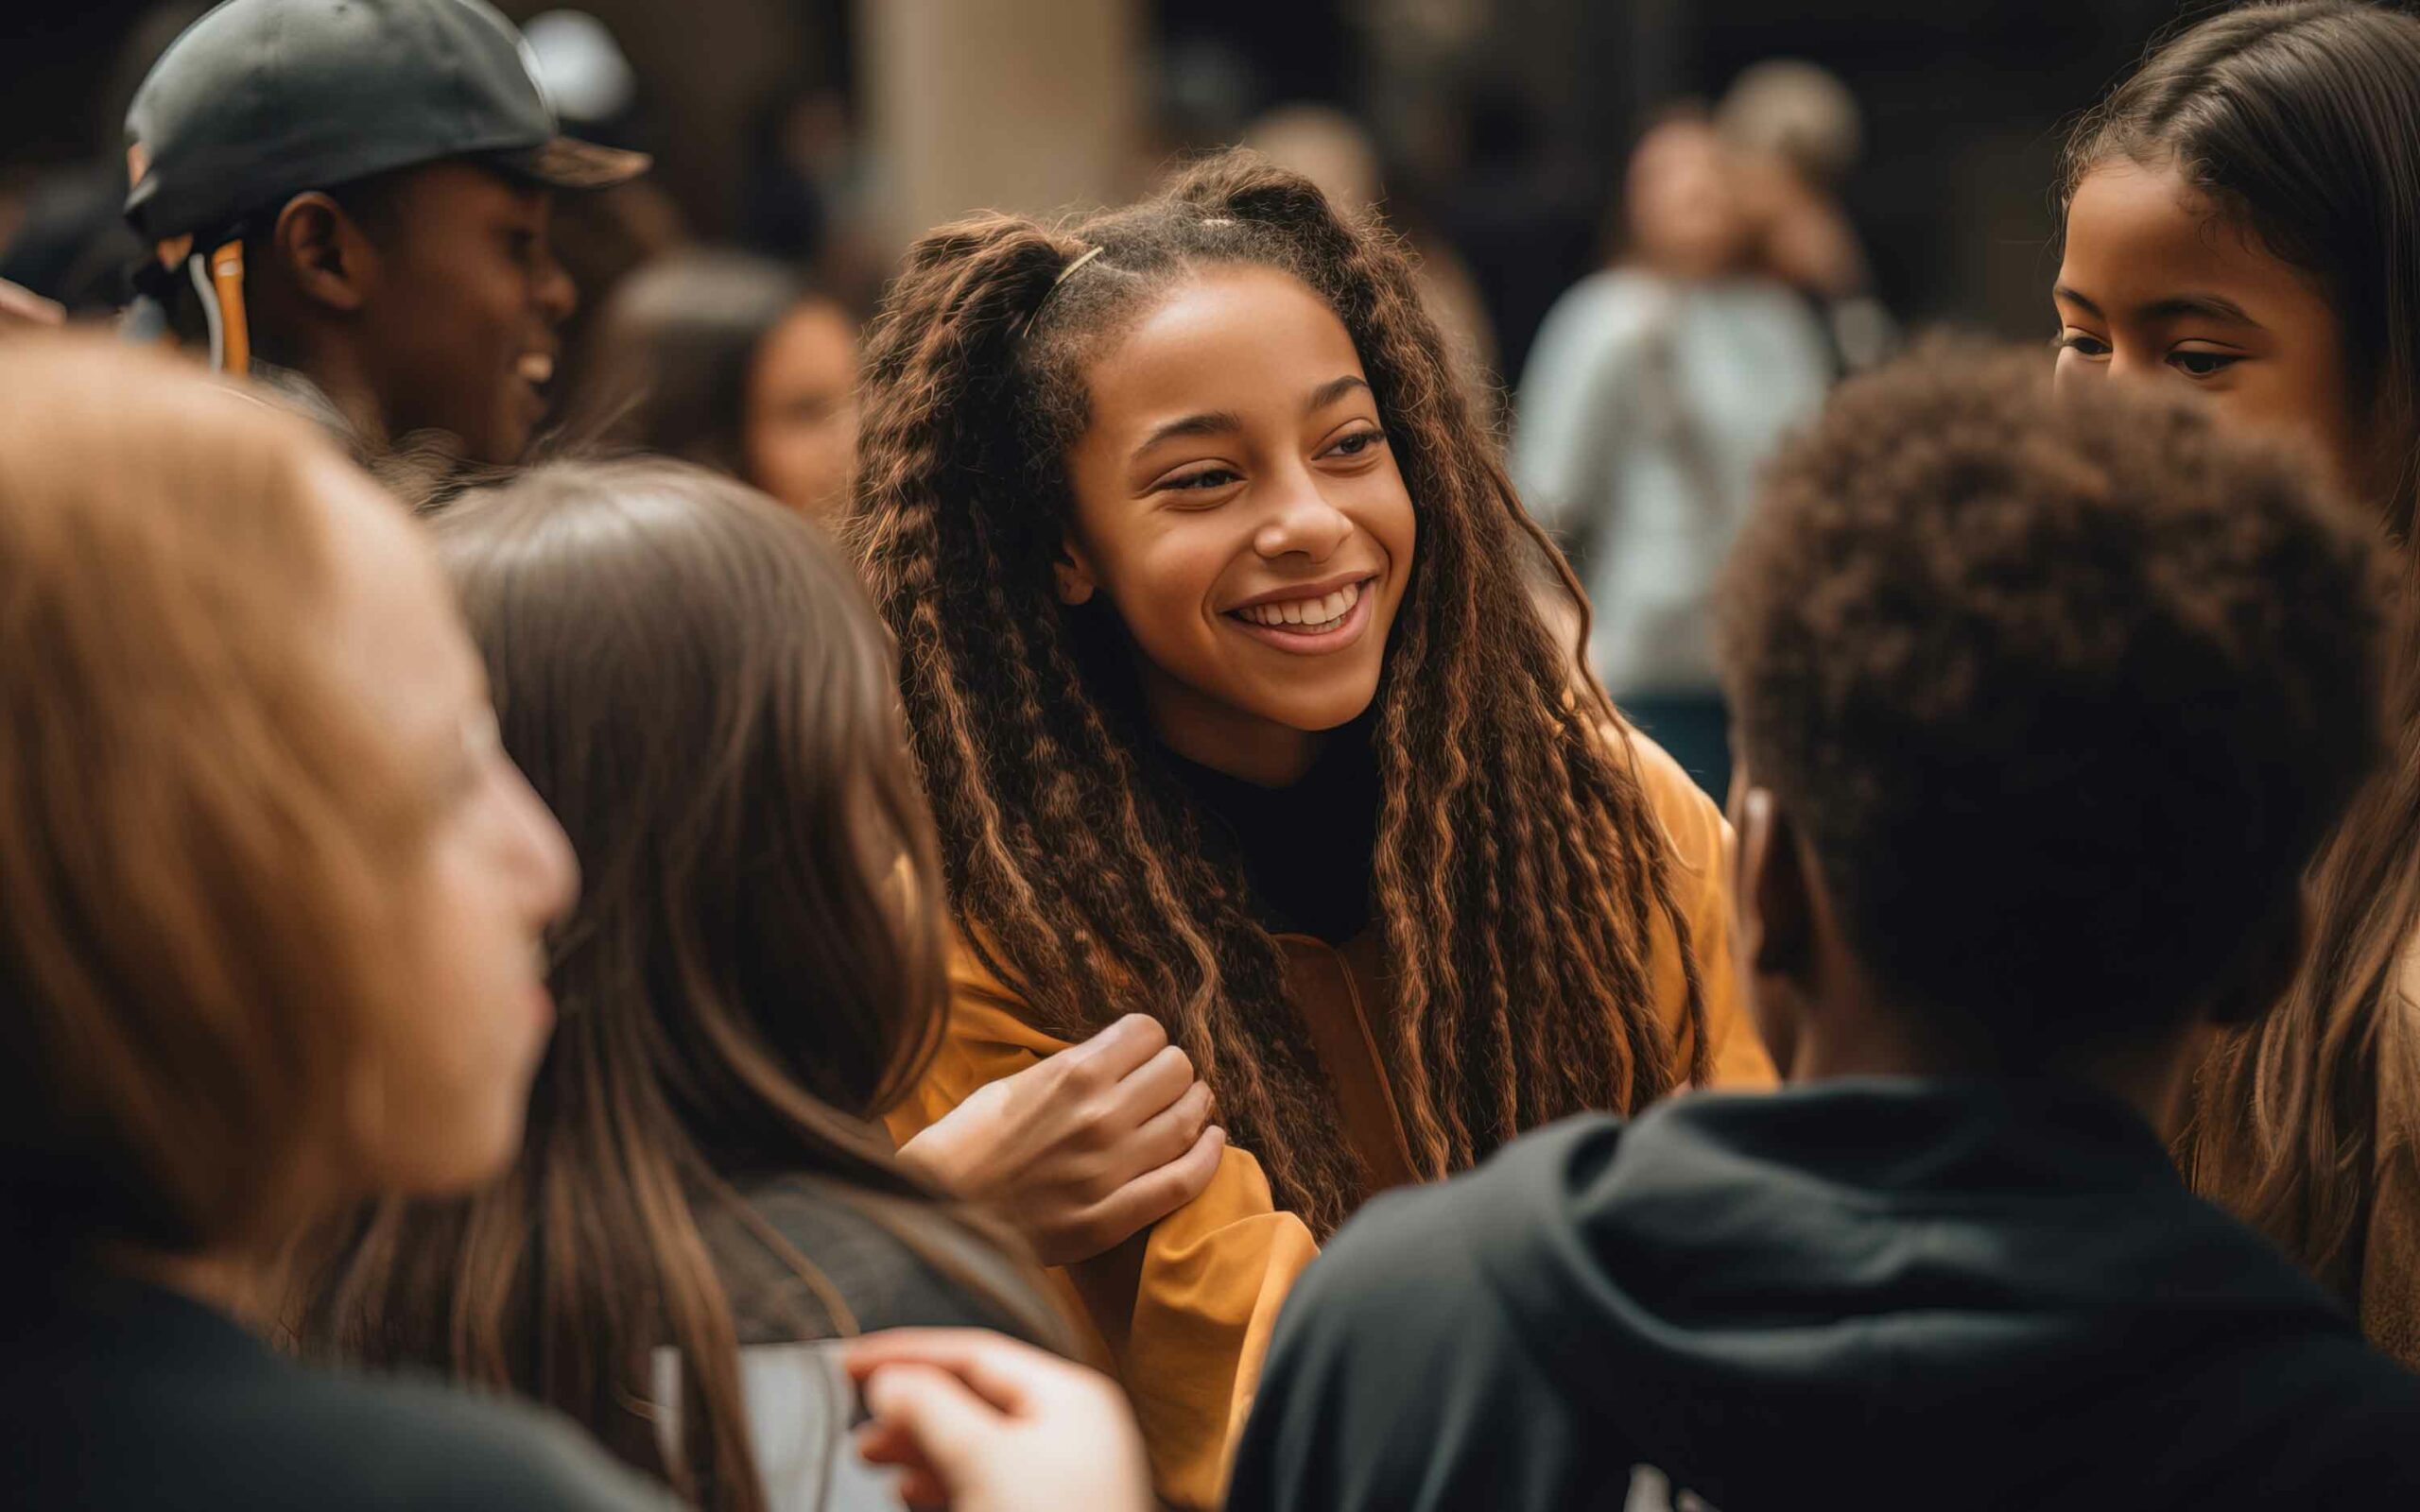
1797 132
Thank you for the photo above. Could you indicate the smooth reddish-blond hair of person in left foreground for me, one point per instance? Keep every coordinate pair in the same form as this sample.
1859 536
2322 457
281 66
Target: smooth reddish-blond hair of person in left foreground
197 836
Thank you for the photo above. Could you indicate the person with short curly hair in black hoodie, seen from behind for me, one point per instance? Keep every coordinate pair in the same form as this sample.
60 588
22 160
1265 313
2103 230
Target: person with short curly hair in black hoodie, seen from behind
2044 712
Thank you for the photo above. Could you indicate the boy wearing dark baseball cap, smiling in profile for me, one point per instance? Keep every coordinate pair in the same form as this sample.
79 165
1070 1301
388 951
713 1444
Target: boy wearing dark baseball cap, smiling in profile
355 202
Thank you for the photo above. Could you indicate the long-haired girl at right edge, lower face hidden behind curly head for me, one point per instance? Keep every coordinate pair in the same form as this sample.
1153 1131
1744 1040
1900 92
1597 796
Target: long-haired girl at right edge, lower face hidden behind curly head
2245 219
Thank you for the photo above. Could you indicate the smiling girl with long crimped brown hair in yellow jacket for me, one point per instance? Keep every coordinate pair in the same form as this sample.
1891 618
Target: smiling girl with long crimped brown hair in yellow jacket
1235 712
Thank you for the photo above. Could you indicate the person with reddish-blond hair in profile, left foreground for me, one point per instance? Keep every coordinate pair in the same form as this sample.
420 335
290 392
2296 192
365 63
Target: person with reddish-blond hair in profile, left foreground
267 947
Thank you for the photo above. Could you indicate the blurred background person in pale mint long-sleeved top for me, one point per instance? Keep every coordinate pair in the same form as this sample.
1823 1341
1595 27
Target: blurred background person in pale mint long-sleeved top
1654 393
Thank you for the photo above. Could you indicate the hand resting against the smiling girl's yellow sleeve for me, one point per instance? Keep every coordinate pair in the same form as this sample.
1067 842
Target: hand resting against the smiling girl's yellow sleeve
1083 1150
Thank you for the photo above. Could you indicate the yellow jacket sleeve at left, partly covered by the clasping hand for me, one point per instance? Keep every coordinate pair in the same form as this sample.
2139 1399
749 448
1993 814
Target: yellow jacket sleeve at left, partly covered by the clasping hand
1214 1274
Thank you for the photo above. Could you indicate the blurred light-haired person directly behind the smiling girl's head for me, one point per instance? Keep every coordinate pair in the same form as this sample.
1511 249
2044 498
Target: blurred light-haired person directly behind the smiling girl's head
1335 151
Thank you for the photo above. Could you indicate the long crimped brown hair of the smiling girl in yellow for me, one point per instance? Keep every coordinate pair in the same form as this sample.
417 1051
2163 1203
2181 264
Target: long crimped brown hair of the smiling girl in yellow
1519 860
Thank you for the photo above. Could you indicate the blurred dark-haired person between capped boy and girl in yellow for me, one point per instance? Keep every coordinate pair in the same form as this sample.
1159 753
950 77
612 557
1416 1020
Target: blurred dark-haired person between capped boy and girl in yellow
734 364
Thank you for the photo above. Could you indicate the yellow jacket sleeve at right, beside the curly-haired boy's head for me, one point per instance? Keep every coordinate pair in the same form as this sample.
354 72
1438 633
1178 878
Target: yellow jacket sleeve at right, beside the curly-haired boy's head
1700 850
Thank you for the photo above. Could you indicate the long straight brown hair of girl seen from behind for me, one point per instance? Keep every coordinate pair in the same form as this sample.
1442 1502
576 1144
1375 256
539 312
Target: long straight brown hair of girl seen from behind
756 969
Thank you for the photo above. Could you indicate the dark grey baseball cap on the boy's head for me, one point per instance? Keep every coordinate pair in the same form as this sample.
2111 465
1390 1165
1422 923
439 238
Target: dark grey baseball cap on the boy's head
265 100
